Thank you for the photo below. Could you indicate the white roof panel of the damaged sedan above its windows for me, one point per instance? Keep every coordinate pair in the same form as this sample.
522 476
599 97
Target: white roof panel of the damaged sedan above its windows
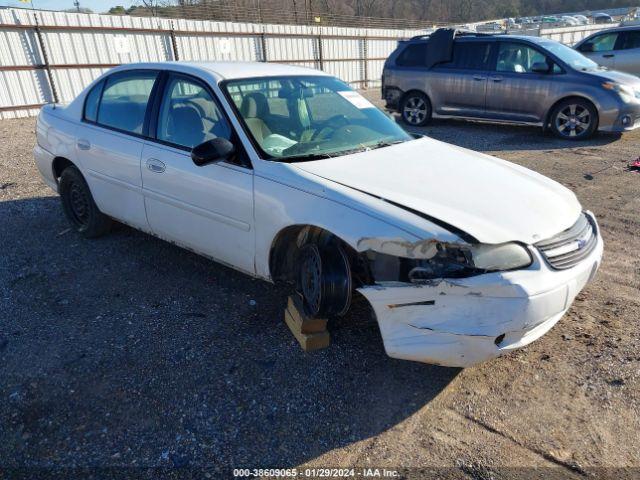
230 70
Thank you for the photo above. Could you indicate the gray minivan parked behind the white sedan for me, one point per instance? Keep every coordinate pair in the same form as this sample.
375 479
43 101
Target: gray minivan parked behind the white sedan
510 79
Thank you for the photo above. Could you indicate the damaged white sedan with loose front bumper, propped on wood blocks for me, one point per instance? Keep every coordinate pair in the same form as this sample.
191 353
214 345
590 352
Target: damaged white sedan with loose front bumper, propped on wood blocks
289 175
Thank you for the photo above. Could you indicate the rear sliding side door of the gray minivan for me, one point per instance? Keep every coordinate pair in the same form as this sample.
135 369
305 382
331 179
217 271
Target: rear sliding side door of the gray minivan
458 88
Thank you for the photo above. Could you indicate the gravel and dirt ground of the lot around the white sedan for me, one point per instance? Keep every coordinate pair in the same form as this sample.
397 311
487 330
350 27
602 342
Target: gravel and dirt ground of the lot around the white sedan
129 352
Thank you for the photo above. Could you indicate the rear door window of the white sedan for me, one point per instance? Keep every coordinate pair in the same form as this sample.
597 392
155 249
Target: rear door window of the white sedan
124 100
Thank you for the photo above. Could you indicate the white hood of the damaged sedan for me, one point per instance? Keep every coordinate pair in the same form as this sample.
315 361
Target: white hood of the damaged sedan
493 200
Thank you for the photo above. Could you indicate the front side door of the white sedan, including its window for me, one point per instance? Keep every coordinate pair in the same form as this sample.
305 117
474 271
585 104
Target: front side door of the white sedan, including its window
208 209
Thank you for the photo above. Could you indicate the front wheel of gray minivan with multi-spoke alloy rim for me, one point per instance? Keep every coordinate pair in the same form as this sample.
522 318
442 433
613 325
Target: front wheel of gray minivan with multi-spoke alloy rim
574 119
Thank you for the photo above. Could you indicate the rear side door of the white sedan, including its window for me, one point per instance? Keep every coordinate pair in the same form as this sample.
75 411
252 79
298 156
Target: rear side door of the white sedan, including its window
109 143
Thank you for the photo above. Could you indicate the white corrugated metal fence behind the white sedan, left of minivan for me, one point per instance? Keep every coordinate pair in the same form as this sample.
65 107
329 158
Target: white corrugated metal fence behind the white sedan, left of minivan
51 56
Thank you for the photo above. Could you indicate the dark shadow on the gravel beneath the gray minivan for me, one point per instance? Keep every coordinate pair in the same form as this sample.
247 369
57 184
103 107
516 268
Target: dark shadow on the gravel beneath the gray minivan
495 137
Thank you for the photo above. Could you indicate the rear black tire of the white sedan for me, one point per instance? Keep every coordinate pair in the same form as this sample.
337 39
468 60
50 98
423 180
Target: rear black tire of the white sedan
79 207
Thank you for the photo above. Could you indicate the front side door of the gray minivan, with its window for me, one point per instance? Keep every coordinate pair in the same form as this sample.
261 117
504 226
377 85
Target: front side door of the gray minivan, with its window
514 91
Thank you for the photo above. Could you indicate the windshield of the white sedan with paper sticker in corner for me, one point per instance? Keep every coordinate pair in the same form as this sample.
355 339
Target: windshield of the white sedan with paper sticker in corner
301 118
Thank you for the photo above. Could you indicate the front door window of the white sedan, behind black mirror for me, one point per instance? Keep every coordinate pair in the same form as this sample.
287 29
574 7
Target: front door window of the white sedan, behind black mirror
189 115
